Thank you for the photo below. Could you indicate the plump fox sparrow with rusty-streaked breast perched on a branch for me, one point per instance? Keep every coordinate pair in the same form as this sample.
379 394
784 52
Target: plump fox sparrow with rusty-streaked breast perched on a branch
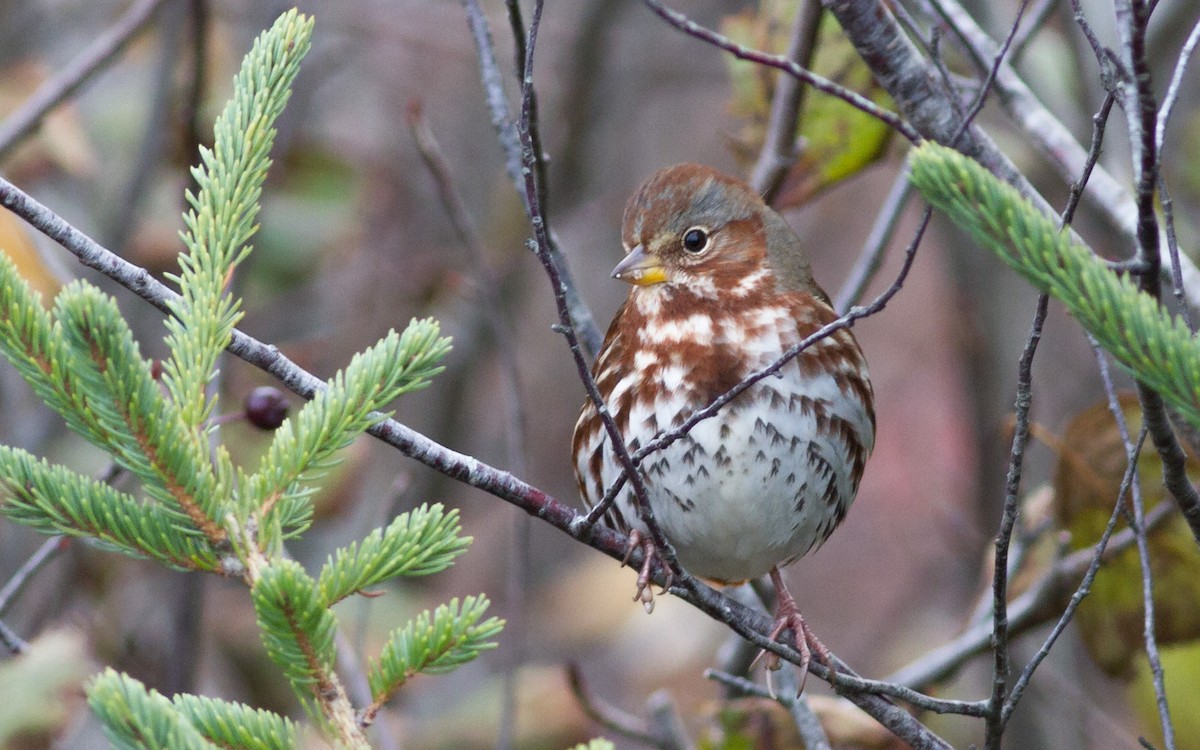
722 289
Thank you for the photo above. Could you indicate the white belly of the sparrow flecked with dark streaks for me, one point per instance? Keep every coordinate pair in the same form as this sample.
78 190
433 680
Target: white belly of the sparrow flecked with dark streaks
760 483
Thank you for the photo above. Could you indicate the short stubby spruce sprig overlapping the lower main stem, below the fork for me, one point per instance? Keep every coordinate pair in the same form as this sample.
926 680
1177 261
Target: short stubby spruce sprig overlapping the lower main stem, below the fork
297 628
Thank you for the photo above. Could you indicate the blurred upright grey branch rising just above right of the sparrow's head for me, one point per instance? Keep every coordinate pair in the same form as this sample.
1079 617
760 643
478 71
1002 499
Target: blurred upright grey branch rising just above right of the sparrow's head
778 153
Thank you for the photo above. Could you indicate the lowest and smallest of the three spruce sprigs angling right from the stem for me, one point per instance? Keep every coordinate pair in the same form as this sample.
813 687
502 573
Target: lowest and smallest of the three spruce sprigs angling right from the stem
434 645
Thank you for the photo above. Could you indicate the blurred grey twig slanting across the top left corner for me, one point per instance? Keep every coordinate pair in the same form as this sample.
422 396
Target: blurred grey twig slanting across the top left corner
99 56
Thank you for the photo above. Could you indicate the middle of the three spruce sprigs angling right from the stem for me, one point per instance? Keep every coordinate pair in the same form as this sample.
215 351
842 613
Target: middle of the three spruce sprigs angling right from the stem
419 543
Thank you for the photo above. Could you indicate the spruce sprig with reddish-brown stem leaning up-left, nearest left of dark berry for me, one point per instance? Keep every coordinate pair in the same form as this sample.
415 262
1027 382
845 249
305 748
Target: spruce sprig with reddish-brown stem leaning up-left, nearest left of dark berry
145 430
